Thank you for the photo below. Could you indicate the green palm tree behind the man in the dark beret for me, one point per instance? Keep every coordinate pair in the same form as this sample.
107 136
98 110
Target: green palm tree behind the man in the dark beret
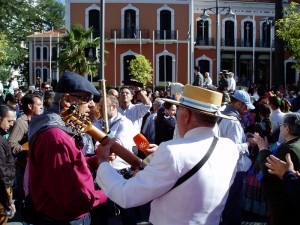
72 51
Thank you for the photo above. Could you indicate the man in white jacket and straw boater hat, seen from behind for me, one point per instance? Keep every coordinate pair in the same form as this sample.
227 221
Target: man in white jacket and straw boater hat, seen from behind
196 199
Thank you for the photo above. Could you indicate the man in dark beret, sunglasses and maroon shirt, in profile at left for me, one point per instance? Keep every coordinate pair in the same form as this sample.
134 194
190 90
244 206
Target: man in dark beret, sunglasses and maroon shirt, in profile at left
60 181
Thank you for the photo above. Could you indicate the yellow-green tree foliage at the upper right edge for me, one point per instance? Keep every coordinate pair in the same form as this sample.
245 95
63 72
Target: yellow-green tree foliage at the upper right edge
288 30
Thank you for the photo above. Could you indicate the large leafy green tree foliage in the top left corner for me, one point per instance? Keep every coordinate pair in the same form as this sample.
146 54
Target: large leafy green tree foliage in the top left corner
20 18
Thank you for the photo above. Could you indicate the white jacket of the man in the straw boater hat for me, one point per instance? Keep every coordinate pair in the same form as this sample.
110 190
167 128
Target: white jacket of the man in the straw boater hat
199 200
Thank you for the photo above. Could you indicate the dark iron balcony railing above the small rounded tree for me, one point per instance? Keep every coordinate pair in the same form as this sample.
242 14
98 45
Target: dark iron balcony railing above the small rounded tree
130 33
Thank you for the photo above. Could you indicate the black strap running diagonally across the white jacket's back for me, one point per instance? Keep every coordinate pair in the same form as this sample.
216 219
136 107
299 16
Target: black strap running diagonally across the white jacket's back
198 165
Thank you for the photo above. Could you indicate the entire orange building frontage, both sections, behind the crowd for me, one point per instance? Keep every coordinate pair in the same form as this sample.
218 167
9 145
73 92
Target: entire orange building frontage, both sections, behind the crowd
160 30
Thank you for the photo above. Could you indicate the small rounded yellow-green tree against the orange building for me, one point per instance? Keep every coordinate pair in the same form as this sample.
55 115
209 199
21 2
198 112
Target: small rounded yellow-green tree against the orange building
141 70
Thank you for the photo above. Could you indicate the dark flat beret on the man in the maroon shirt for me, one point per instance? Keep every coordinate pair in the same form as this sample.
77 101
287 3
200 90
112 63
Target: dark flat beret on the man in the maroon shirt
72 82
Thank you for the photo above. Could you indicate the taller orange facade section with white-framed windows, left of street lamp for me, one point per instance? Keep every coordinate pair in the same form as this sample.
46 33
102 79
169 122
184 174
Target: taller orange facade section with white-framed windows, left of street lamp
152 28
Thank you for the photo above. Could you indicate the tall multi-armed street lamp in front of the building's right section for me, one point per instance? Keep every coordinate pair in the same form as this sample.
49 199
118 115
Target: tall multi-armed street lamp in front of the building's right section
217 10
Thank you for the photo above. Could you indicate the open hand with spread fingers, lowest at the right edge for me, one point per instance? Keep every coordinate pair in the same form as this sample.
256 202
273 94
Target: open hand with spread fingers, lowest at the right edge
278 167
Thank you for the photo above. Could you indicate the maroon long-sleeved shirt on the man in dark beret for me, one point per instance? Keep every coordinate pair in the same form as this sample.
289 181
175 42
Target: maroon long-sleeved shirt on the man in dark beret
60 181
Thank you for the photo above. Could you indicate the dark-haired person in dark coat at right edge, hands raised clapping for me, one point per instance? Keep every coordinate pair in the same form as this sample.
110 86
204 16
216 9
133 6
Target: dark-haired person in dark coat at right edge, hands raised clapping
281 208
